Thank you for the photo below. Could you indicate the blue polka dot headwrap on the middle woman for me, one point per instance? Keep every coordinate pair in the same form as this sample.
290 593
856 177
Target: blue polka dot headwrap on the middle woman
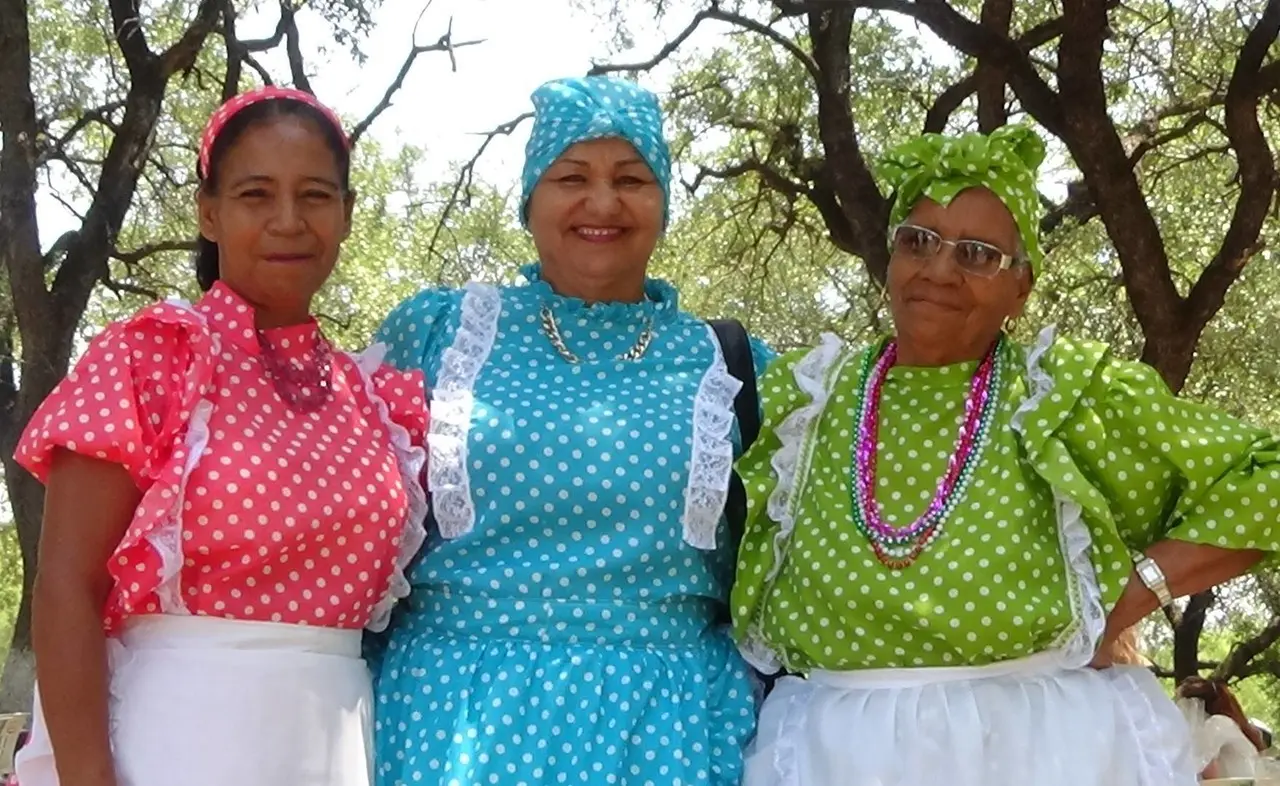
568 112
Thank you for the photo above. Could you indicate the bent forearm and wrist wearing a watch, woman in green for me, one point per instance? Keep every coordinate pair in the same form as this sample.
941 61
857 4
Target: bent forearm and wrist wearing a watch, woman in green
1188 568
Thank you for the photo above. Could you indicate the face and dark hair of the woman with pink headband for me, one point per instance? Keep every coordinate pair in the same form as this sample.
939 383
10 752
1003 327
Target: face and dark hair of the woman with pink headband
278 214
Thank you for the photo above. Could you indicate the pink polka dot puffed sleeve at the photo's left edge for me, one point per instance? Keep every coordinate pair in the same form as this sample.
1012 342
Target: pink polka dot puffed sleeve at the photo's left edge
118 404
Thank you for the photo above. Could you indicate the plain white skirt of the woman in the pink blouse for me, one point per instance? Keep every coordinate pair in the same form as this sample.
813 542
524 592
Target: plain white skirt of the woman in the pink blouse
208 702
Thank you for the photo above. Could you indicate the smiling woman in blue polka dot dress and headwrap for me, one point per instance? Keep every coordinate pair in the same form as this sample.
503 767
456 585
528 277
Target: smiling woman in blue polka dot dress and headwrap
566 618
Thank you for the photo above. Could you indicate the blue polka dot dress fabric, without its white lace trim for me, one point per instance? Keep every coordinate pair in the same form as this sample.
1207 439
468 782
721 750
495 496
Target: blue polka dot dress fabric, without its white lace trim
573 636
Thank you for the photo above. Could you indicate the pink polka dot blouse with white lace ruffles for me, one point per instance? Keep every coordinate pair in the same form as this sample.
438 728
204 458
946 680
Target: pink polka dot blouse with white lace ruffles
250 510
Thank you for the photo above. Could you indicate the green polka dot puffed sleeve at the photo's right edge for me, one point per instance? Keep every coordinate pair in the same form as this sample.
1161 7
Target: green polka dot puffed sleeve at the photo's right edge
1148 465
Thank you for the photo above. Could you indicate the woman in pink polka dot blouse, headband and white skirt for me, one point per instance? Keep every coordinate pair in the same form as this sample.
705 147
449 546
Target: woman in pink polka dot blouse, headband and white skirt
230 501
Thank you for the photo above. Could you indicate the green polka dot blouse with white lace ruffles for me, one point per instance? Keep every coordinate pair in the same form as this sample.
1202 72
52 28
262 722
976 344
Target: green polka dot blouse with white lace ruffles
1091 460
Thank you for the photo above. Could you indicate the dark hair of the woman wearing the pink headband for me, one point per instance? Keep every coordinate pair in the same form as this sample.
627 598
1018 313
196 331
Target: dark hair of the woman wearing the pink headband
248 118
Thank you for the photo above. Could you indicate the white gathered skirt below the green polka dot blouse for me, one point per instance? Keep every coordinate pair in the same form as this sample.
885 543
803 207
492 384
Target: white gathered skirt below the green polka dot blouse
1021 724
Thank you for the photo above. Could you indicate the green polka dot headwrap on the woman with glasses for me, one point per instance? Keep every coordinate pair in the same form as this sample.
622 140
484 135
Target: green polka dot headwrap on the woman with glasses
940 168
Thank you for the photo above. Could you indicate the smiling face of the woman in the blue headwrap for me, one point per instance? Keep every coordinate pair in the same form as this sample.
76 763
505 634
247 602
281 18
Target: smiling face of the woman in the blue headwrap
597 214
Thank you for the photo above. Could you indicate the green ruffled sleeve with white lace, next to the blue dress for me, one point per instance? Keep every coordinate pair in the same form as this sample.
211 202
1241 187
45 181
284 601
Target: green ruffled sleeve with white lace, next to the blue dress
793 395
